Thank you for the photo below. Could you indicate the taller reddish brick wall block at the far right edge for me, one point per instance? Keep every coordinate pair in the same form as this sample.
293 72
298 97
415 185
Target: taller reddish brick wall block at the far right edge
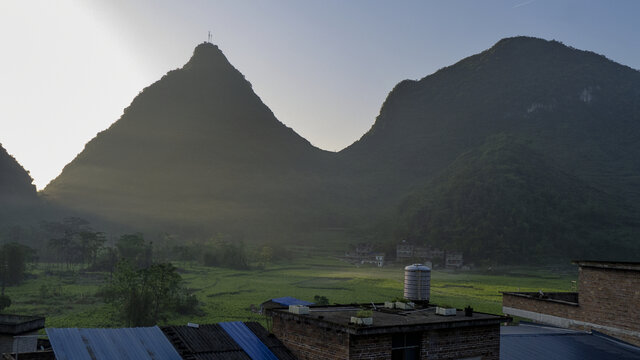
610 297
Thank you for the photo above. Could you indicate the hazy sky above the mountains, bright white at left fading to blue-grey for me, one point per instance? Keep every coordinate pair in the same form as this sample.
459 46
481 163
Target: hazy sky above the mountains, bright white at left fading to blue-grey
68 68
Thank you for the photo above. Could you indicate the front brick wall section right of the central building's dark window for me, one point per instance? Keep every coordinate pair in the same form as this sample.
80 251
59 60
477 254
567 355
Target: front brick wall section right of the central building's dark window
460 343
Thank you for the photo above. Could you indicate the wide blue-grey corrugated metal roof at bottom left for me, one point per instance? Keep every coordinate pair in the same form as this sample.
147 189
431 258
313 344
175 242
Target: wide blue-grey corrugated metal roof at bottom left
147 343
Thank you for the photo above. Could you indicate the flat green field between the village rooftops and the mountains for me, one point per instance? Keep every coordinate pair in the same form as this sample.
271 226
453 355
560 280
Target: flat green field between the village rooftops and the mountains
69 298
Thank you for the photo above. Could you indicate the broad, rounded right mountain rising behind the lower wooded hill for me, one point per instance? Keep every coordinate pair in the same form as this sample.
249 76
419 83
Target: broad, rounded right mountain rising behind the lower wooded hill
576 107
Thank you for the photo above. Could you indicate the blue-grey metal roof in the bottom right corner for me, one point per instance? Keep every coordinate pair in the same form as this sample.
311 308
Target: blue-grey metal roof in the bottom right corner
531 342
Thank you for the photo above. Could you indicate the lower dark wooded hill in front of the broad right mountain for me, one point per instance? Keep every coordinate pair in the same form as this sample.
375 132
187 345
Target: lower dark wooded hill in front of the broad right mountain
503 202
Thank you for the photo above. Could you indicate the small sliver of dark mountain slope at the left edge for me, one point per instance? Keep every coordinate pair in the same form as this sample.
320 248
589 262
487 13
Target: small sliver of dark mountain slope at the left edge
17 192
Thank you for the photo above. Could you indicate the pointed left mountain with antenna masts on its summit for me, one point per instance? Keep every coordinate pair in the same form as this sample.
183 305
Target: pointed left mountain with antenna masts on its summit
196 149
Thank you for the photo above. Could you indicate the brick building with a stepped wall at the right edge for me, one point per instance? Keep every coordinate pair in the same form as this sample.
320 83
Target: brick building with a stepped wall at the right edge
608 301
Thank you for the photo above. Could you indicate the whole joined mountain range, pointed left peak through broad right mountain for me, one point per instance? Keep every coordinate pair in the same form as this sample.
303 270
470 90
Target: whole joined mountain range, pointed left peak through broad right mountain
544 137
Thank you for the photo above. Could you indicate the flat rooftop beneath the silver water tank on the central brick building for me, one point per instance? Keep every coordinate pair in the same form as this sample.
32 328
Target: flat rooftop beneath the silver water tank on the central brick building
385 320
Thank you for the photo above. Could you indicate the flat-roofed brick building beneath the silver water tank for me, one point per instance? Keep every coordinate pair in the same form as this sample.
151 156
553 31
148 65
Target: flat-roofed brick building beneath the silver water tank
326 333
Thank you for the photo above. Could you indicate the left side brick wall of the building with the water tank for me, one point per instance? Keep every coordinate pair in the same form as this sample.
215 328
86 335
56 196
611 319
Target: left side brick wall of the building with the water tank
307 341
